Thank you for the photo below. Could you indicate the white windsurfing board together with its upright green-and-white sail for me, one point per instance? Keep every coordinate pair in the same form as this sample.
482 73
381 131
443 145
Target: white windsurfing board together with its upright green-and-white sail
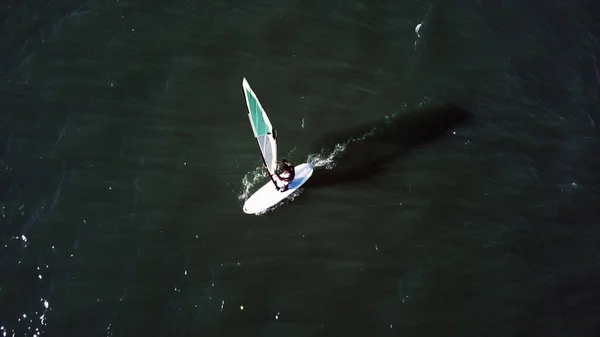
268 195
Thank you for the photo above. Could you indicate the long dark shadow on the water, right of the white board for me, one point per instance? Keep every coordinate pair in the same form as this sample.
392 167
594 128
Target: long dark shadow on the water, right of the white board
368 148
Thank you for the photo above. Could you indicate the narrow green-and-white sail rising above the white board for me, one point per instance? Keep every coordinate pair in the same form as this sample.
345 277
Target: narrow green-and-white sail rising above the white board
262 128
